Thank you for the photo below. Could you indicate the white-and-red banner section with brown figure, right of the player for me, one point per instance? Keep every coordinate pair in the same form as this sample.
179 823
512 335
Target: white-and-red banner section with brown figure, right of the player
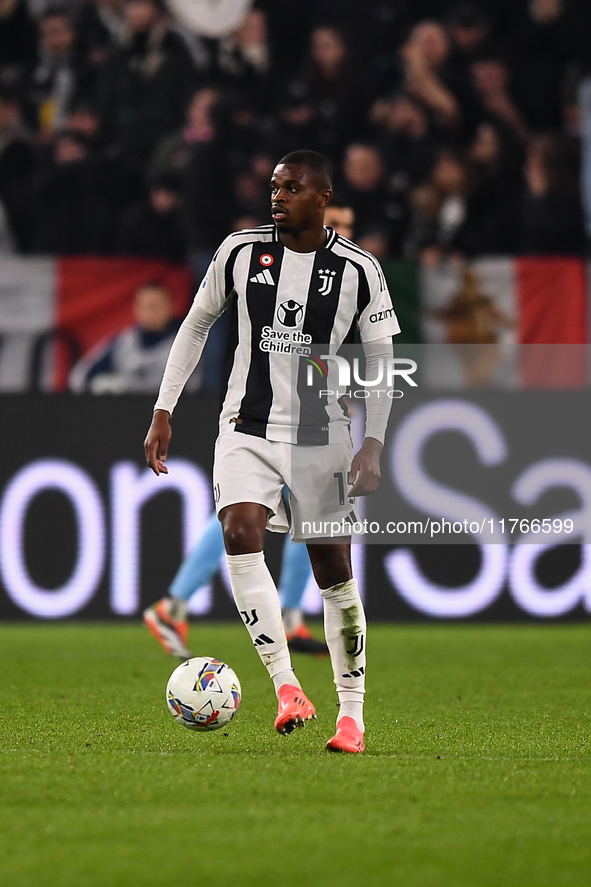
500 303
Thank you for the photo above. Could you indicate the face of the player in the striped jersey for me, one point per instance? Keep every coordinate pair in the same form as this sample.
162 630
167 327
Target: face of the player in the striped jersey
297 199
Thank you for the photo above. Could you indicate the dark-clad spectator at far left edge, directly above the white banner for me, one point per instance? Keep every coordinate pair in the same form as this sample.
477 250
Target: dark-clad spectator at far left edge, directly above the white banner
17 164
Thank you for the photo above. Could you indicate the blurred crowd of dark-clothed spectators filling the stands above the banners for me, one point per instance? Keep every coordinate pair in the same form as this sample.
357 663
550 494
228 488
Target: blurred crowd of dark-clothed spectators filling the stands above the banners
139 127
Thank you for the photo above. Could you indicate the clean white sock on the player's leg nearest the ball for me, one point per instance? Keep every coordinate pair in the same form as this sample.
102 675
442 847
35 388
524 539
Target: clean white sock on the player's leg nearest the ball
258 604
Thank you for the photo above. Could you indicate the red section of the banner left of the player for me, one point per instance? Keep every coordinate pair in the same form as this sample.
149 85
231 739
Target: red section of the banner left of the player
95 295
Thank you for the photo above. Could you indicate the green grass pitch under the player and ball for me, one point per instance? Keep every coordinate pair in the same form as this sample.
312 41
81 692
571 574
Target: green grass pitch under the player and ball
478 770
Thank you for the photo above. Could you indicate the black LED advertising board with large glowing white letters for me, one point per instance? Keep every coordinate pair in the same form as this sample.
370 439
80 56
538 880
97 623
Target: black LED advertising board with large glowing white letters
87 531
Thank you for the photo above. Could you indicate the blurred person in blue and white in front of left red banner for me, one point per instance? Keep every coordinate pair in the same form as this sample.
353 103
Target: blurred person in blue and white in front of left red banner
134 360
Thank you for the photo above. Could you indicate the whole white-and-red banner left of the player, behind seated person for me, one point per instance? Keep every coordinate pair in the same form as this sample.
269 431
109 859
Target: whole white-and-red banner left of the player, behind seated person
54 310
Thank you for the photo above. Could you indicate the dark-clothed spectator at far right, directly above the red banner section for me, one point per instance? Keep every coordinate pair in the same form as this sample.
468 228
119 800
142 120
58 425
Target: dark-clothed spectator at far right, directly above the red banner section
551 213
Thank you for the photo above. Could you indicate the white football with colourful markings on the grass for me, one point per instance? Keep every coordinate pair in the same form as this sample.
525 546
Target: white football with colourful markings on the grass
203 694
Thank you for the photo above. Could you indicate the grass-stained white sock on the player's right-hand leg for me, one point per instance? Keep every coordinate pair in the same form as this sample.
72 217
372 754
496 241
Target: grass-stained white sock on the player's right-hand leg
345 629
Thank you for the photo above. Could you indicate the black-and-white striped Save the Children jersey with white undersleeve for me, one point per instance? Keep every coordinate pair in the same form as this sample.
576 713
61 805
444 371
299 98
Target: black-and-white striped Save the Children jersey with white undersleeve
286 308
